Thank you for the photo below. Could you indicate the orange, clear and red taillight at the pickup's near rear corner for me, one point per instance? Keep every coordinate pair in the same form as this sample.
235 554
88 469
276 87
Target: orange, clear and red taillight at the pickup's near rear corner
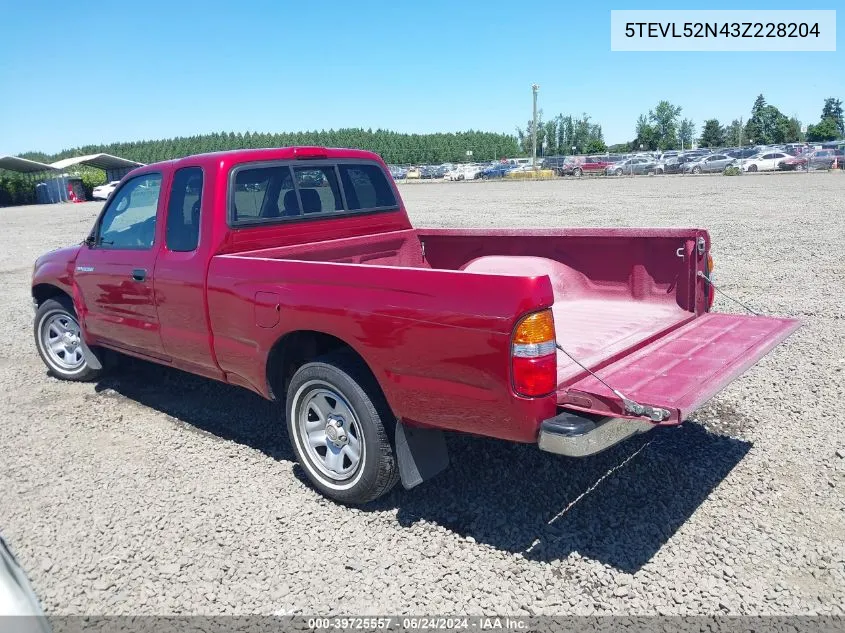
534 356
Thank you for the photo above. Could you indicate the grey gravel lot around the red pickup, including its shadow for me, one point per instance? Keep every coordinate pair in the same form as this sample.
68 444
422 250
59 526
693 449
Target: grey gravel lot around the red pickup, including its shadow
158 492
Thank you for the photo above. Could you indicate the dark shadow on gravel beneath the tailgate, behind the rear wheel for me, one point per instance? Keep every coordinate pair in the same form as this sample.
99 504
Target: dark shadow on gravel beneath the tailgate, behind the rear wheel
618 507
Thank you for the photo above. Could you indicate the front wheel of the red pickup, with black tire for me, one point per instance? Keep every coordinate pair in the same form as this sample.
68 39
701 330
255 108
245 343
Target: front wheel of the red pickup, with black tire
53 312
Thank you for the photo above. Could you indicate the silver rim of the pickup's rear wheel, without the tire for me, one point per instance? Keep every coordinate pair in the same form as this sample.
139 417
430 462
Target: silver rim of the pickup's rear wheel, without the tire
329 432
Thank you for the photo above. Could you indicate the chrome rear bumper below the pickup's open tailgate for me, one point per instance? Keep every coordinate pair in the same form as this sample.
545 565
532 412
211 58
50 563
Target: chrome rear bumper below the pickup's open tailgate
575 435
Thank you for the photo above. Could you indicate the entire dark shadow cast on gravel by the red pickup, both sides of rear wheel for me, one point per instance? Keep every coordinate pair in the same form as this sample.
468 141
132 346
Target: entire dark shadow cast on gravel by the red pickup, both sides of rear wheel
618 507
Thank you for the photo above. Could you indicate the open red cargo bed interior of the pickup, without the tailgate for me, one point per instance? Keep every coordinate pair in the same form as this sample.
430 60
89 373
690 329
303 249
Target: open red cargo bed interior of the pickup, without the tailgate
614 289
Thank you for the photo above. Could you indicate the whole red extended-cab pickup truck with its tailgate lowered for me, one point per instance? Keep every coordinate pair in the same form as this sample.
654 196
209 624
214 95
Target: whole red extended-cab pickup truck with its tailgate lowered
296 273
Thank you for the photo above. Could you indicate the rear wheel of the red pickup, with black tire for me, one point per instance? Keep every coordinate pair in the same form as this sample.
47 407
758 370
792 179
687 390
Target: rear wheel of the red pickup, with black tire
372 426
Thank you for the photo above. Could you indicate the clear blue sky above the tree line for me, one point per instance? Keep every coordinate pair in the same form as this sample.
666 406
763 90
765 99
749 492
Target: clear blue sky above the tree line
79 73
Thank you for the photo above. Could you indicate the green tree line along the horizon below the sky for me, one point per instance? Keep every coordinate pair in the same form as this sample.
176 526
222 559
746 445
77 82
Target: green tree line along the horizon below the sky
661 128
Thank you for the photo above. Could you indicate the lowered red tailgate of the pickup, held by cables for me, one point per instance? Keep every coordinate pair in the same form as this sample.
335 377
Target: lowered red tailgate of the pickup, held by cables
682 370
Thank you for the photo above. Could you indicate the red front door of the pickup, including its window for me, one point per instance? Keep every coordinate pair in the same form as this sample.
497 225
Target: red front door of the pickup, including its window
114 274
